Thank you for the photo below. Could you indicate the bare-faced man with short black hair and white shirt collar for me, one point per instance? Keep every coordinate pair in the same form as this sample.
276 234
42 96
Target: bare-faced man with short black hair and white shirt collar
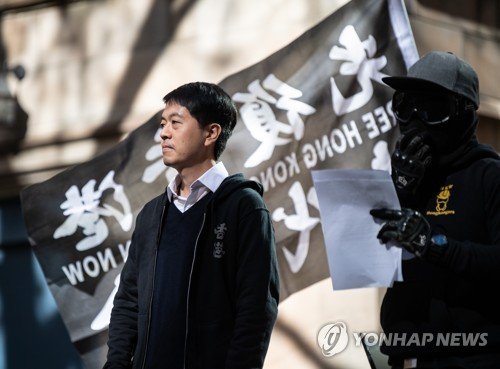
200 286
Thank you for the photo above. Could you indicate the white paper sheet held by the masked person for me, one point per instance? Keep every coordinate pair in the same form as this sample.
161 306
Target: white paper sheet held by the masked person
356 257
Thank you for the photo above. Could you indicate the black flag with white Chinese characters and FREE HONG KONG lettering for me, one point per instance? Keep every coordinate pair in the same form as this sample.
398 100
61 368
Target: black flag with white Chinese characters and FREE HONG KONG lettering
317 103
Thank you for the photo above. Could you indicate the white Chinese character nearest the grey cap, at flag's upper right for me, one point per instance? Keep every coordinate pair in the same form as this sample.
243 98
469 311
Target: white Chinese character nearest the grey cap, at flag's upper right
358 56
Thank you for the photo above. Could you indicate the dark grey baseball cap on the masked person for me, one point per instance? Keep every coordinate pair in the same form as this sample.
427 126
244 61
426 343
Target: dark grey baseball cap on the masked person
439 70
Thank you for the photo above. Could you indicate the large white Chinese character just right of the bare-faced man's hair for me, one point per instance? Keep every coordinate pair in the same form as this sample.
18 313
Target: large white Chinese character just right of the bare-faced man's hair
260 120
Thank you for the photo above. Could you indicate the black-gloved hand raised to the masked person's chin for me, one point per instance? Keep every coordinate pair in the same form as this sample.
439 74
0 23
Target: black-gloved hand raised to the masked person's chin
410 160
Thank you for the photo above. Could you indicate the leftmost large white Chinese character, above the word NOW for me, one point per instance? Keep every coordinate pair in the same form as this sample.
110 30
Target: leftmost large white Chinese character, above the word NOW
84 210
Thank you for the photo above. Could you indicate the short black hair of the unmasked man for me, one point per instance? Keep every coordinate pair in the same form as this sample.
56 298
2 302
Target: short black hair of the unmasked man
208 103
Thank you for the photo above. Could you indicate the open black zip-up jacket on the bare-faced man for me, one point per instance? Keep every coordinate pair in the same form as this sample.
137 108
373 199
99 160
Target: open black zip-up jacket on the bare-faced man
232 298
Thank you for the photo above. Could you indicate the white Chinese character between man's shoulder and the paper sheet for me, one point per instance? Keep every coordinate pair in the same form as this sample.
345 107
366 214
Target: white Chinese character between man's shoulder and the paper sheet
301 222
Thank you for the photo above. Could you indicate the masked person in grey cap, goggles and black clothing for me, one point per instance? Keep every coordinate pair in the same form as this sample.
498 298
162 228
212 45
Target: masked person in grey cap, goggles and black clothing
445 314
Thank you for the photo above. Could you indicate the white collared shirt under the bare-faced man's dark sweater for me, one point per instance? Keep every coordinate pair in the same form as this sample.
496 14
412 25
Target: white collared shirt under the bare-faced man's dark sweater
209 181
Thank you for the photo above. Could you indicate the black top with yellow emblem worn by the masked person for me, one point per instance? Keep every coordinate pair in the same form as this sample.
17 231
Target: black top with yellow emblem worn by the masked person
455 292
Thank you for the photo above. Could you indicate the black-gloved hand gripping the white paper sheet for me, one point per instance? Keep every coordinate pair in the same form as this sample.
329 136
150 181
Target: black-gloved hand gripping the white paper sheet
406 227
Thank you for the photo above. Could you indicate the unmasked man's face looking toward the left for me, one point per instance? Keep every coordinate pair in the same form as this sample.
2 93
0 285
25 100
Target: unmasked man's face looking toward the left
182 138
